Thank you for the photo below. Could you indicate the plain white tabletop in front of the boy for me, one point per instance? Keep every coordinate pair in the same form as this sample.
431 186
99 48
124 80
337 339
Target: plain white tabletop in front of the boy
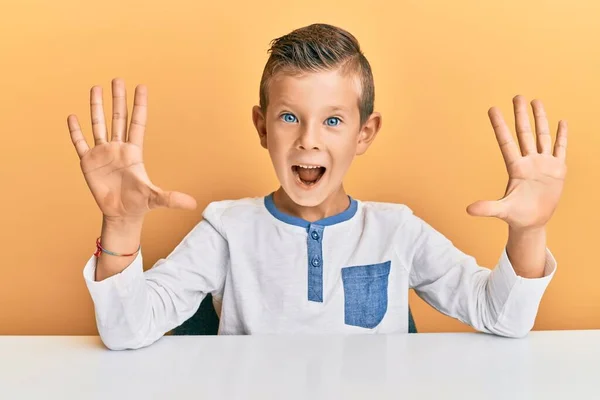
545 365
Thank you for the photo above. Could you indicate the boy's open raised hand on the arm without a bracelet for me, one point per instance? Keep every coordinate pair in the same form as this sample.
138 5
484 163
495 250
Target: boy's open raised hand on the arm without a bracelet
535 174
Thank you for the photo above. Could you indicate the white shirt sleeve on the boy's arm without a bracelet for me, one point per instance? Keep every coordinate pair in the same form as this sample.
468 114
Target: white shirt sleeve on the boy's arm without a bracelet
493 301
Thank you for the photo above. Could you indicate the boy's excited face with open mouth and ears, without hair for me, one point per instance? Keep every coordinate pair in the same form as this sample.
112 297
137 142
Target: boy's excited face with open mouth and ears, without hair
312 131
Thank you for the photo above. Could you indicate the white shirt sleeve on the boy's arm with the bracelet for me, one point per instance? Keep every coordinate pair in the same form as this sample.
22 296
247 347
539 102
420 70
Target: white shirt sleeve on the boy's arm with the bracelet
135 308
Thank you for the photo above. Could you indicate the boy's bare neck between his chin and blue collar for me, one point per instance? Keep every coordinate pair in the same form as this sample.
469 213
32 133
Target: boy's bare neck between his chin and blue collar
336 203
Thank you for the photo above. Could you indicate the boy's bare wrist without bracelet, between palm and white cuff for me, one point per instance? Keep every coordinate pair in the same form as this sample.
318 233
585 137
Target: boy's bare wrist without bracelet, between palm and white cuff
526 250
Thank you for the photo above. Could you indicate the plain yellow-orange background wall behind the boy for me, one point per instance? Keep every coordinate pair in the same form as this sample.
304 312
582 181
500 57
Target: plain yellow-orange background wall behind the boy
438 66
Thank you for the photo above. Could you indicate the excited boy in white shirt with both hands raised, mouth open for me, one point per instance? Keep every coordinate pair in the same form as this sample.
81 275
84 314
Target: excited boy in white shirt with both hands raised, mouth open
308 258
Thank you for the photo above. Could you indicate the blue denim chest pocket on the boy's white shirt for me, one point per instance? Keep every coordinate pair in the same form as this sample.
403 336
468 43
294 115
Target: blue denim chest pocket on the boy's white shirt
365 294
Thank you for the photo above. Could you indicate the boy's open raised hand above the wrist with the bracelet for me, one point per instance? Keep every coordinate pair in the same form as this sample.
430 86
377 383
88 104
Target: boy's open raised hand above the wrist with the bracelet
114 170
